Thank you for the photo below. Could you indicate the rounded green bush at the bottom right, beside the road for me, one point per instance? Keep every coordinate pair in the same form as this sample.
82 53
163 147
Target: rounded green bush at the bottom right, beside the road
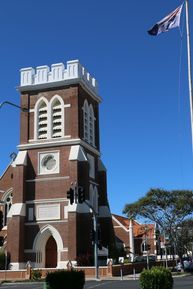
156 278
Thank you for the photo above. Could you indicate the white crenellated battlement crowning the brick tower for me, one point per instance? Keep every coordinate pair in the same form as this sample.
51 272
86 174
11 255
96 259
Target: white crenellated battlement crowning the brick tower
57 73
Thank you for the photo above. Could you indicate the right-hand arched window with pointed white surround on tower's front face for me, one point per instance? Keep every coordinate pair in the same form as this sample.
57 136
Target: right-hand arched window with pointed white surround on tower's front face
57 117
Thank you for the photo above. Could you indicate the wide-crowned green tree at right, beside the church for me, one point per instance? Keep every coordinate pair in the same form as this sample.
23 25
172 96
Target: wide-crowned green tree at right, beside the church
168 209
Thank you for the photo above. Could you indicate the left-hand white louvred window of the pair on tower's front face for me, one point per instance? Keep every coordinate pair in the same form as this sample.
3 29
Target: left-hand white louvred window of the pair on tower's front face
42 130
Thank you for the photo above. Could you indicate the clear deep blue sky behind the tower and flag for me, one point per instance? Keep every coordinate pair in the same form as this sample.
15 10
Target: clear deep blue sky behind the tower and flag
144 116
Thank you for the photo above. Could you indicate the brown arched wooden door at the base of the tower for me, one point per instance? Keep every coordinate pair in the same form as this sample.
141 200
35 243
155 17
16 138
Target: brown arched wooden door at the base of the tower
51 253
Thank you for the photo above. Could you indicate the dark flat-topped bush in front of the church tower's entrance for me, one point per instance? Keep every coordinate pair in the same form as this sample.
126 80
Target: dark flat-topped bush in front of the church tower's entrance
65 280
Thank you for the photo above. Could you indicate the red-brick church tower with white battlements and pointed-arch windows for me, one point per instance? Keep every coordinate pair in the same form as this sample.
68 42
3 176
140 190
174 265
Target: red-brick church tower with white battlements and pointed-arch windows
59 145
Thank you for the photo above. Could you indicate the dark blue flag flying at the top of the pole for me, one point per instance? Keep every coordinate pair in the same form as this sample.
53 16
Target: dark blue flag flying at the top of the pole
170 21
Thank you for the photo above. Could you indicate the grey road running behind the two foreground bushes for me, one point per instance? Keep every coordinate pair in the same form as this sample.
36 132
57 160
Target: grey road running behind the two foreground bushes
179 283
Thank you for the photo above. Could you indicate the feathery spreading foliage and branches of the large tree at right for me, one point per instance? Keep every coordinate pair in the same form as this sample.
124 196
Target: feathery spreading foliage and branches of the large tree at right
169 210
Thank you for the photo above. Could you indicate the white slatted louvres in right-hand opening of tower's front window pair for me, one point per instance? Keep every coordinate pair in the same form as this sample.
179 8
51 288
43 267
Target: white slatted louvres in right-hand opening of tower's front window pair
56 119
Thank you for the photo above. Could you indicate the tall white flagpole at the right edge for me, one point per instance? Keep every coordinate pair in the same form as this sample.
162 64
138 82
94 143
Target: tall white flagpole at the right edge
189 68
